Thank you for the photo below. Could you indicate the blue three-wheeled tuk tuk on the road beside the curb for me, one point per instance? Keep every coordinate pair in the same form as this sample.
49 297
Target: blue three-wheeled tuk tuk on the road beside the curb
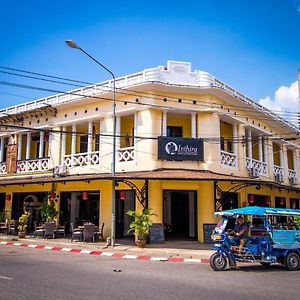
274 237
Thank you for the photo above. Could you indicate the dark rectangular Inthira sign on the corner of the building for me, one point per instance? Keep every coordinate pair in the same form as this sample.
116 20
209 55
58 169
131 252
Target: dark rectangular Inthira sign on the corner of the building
173 148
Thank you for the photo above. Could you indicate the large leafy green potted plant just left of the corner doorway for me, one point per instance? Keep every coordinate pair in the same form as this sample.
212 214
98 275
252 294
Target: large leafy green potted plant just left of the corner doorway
140 225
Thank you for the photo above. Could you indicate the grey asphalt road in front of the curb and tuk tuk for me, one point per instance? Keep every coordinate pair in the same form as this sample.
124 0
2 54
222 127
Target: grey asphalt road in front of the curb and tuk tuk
42 274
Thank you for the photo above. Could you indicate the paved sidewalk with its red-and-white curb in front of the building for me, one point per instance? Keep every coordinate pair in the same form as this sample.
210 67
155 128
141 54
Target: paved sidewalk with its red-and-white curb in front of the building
175 251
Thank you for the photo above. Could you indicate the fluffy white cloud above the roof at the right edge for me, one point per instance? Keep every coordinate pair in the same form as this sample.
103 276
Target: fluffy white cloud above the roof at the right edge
284 99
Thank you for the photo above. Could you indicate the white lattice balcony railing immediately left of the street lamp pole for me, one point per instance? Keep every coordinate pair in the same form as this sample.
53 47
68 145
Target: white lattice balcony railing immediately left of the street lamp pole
82 159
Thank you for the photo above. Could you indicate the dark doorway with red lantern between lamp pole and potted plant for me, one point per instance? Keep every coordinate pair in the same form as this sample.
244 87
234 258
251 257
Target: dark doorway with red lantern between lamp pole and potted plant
125 200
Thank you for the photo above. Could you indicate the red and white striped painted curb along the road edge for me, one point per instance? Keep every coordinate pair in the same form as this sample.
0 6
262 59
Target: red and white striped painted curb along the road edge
111 254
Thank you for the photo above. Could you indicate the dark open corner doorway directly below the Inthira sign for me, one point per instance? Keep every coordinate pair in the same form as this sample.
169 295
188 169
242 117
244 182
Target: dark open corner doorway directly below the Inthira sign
180 209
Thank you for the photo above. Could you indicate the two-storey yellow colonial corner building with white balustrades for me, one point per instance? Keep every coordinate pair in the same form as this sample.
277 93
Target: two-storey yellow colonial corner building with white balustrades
187 144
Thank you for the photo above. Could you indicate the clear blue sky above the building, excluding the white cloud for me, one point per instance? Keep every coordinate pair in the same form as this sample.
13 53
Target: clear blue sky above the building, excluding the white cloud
252 45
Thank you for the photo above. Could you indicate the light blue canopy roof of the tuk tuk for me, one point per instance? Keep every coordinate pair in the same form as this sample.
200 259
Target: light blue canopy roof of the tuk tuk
258 211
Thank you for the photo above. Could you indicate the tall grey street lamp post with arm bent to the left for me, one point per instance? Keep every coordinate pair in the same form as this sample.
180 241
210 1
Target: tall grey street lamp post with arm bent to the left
73 45
